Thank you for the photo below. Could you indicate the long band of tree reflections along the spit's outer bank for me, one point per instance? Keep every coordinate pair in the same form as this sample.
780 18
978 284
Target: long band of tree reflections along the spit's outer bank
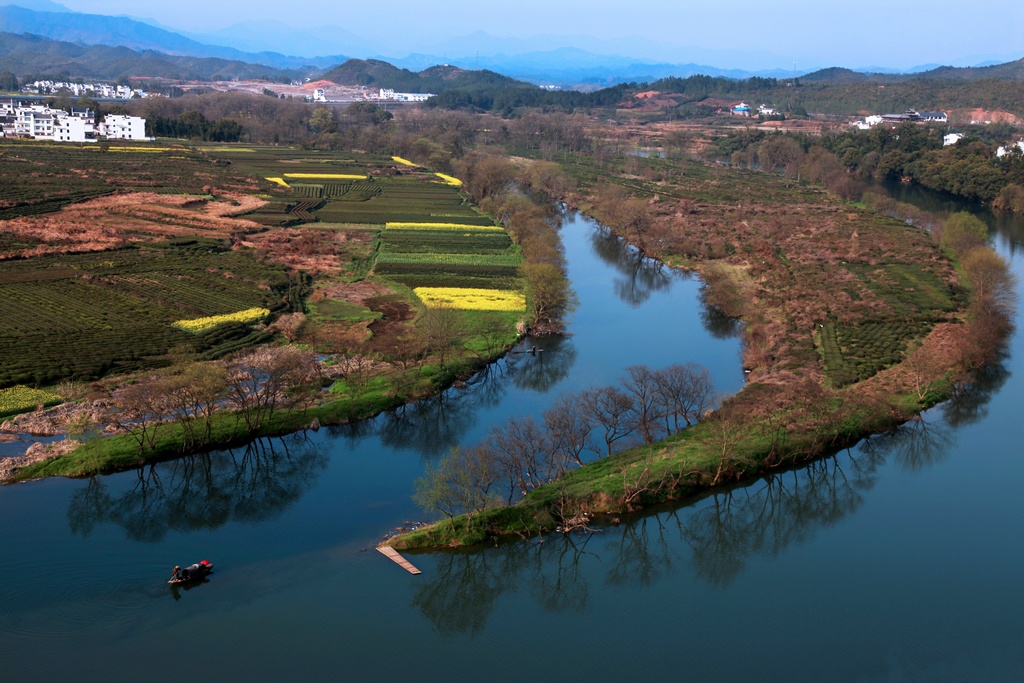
722 531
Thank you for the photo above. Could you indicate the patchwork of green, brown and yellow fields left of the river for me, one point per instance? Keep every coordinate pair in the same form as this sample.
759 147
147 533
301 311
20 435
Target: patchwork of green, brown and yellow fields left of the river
95 290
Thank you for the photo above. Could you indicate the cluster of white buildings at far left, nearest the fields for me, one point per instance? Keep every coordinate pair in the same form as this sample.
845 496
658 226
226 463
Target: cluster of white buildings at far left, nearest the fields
42 123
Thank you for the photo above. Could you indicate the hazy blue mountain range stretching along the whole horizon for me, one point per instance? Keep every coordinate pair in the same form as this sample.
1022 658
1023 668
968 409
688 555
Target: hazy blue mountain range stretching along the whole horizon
102 47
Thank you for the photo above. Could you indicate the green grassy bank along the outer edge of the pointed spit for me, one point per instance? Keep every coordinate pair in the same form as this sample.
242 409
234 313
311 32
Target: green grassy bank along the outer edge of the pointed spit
673 471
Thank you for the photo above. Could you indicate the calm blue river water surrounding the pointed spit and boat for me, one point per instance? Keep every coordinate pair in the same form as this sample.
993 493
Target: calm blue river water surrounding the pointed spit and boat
898 561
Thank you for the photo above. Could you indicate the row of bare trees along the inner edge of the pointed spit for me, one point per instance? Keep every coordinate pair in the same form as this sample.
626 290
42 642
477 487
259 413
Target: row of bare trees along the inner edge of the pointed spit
525 454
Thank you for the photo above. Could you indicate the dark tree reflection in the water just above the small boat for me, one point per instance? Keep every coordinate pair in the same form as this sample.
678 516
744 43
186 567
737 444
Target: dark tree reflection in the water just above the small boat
203 491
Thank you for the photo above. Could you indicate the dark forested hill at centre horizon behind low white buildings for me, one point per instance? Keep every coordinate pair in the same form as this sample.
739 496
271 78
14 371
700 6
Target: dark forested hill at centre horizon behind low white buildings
378 74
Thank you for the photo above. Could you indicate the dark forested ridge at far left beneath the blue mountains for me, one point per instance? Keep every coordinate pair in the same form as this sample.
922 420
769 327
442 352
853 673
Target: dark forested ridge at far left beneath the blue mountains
28 56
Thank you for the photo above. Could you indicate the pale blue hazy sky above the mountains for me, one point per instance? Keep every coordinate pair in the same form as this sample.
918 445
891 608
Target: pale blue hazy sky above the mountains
819 32
